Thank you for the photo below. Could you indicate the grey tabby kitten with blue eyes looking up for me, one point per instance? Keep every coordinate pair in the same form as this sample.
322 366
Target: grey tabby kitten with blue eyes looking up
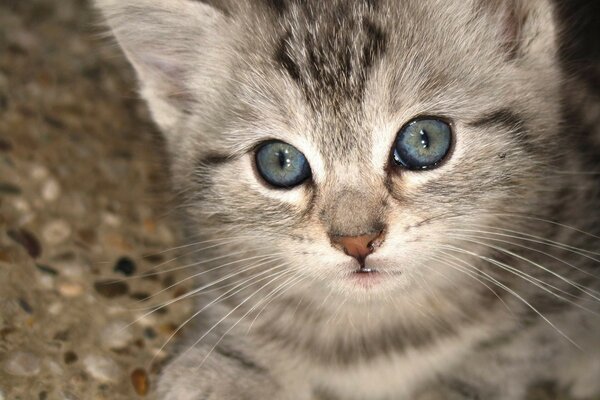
391 202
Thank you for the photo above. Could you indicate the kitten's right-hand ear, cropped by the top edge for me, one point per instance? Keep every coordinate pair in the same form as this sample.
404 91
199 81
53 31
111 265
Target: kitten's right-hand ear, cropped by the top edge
526 28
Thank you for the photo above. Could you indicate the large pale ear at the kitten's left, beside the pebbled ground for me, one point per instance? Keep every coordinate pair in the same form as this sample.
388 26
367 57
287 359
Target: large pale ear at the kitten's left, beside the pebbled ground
167 41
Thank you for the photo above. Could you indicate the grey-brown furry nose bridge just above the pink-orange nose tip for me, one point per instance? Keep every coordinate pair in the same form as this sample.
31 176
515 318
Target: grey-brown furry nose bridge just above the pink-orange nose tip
353 212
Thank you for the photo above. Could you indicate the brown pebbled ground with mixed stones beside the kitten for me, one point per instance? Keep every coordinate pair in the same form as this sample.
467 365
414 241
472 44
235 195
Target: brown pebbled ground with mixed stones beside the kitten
83 215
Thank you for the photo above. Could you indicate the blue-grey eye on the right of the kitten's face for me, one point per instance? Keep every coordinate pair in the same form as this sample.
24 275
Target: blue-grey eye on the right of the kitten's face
422 143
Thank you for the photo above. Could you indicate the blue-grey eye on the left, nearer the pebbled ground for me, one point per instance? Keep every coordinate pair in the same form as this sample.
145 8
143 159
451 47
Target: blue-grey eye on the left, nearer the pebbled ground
281 164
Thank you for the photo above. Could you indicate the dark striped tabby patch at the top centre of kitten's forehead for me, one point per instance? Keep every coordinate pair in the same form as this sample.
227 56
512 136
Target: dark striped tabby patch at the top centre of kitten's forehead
326 61
